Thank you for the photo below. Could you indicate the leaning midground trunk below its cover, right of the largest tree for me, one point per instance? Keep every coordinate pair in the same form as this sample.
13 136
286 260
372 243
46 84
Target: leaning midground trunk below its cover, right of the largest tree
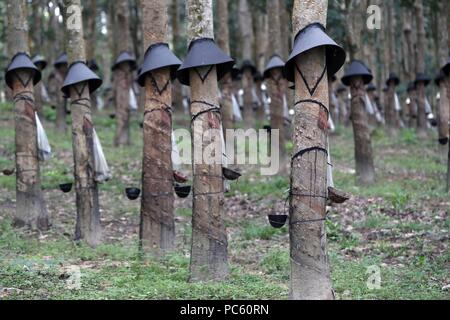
363 147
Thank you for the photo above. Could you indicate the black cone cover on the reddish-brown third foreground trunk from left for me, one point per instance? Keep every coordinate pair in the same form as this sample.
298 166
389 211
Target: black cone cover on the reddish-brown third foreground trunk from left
158 56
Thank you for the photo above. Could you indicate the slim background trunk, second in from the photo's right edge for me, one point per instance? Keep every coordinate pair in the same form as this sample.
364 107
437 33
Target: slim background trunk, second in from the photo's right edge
420 68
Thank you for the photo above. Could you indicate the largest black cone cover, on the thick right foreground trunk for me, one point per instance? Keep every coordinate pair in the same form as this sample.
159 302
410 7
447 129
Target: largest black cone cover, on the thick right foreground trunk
310 37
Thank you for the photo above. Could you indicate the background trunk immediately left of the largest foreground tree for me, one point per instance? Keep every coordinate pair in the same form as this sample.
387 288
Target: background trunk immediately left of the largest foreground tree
276 83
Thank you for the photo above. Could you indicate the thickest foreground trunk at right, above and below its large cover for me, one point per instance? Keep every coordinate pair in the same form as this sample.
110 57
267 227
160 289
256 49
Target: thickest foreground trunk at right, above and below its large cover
310 274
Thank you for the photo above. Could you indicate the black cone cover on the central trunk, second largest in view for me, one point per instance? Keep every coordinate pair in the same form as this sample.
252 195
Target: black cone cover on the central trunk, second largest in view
204 52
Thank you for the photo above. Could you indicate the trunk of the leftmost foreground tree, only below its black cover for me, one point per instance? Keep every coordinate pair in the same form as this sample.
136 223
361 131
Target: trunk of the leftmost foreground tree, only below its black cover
30 206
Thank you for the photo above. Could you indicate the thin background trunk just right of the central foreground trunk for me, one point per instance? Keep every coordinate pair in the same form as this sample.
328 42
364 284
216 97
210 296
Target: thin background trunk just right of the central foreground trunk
223 41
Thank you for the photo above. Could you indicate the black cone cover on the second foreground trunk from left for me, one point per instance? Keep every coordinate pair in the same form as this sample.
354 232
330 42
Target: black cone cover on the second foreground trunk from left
80 72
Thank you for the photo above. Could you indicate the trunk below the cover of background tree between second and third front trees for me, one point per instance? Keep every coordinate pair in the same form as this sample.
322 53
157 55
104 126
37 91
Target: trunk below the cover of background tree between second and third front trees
122 77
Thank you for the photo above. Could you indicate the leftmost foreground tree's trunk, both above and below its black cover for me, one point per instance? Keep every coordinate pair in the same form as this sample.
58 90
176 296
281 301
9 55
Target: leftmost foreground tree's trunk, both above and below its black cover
31 210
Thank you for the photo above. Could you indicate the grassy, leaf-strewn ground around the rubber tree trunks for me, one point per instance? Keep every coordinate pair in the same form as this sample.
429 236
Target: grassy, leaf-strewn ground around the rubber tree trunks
399 226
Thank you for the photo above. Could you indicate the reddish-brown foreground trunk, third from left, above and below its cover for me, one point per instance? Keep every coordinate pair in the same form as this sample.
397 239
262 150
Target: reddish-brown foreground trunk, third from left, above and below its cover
157 229
